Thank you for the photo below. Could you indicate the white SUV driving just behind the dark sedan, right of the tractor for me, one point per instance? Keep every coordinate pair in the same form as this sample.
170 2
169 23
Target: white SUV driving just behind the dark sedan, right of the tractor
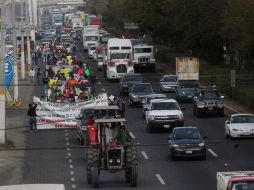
163 113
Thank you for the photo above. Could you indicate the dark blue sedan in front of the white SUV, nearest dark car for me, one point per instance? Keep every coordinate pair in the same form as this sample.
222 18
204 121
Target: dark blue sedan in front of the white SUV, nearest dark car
185 142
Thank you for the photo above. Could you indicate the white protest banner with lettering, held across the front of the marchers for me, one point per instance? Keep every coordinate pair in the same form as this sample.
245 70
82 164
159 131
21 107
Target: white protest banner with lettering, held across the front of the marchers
52 115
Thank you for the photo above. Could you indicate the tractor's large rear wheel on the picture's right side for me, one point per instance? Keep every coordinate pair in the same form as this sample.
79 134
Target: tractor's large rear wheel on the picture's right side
131 172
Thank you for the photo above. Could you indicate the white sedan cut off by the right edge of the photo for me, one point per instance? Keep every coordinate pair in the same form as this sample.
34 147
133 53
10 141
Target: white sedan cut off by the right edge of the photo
239 125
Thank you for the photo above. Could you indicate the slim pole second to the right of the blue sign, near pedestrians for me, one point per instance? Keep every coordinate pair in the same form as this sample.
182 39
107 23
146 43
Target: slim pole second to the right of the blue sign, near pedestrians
23 76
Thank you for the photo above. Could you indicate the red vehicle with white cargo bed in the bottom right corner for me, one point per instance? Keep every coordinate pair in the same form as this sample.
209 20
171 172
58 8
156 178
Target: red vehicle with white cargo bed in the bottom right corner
235 180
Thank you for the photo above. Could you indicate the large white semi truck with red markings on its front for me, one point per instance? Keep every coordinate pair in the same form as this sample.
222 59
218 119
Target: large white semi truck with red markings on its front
119 58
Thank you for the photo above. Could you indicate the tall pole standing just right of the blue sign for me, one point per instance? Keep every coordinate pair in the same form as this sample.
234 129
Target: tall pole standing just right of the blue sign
15 62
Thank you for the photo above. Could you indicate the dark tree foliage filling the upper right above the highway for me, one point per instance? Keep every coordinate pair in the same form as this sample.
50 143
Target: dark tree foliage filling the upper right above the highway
202 26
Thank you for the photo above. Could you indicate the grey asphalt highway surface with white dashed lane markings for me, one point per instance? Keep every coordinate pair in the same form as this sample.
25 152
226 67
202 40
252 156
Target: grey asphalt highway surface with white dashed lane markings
67 165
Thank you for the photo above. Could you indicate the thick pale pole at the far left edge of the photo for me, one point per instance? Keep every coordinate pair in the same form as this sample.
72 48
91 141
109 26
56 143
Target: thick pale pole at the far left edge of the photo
2 75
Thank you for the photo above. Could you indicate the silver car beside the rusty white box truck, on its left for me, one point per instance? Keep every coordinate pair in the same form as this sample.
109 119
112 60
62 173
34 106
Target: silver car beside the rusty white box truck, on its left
168 83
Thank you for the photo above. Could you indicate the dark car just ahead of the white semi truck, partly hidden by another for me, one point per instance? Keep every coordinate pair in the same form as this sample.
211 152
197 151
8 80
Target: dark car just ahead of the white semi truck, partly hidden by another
127 82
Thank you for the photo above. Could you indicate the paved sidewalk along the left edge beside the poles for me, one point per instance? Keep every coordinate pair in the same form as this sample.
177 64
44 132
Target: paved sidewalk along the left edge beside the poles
11 162
